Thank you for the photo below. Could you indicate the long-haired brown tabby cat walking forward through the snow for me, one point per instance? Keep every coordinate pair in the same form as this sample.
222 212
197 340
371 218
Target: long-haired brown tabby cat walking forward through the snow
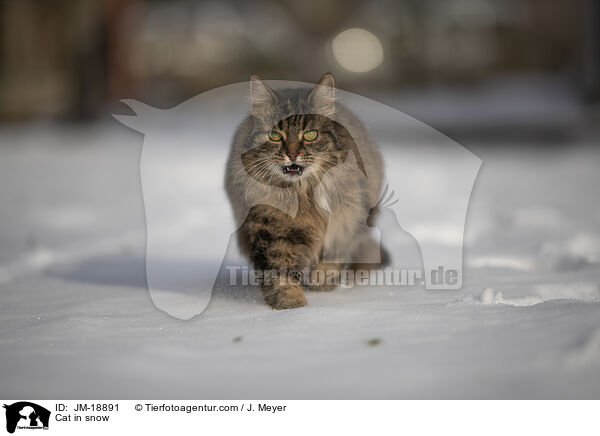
301 186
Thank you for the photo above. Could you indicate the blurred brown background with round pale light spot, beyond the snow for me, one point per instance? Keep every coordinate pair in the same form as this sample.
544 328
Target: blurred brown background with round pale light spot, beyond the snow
532 65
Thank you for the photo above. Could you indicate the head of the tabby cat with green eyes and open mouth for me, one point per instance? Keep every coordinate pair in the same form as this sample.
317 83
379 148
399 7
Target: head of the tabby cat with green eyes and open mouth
294 137
